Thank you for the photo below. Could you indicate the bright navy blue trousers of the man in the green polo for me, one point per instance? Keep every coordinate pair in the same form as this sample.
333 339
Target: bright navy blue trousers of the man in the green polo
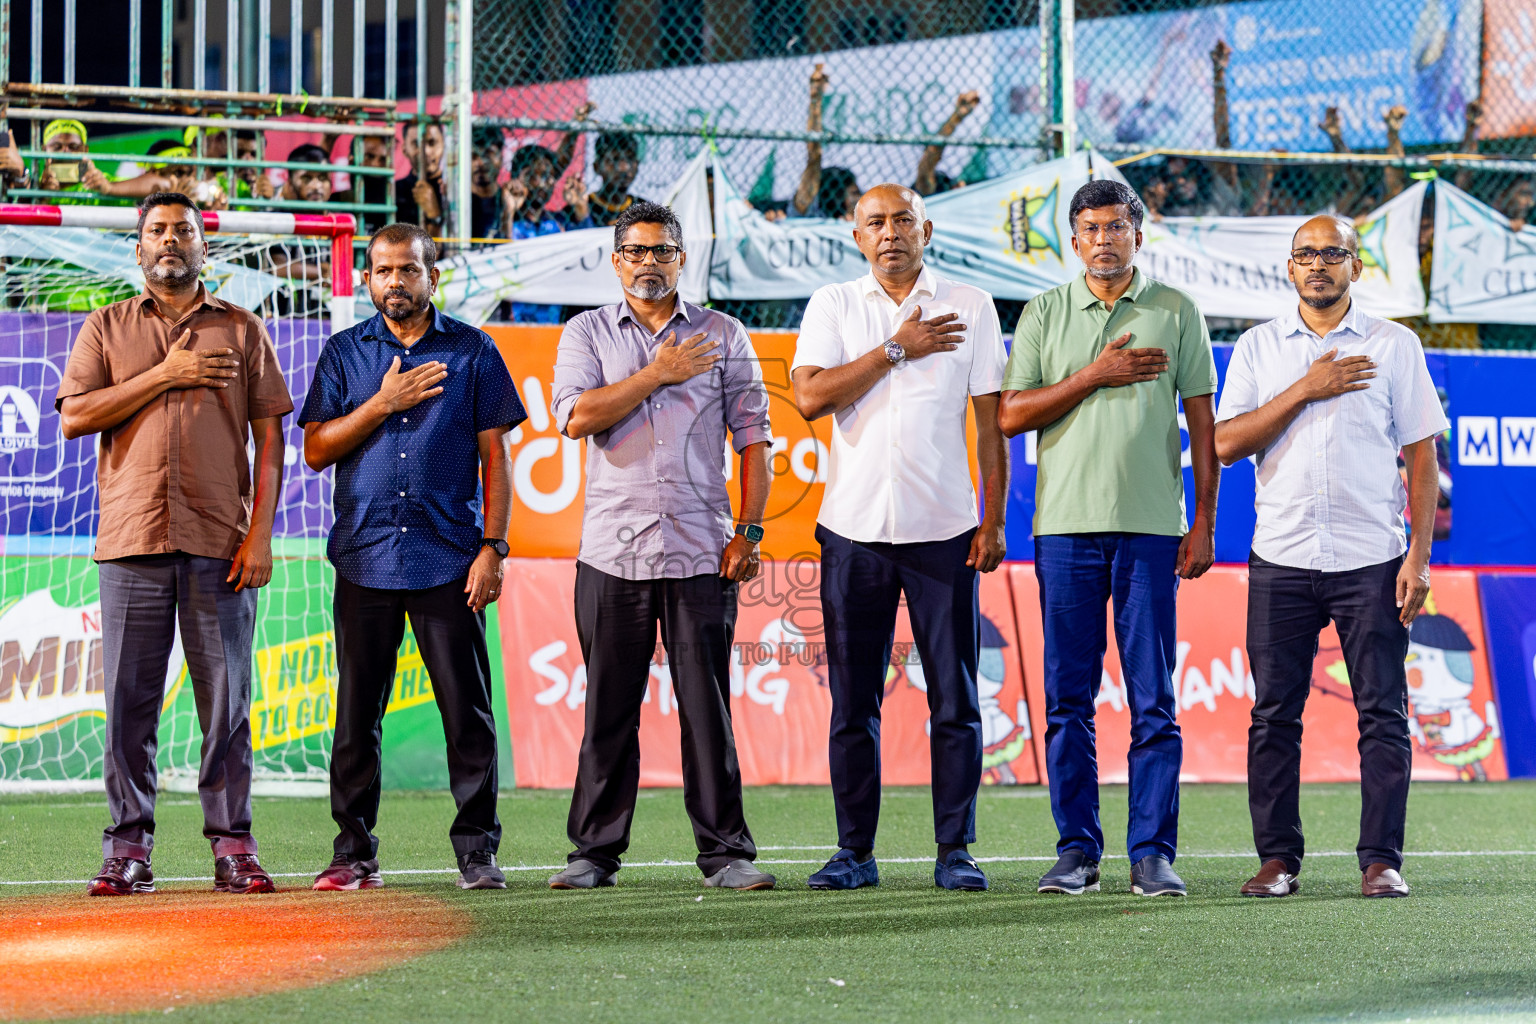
1079 575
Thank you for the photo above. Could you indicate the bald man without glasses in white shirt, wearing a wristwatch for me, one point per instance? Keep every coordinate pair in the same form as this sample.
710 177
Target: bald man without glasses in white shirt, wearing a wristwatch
893 358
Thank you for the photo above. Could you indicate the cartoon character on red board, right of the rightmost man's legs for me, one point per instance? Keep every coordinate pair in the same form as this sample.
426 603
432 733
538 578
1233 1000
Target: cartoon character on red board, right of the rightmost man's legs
1442 718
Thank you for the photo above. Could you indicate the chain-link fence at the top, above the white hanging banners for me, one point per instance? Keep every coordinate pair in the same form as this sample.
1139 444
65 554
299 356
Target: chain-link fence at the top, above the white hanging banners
812 101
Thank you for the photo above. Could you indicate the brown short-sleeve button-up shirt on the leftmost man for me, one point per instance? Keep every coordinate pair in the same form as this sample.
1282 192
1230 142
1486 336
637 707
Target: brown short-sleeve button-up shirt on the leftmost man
174 477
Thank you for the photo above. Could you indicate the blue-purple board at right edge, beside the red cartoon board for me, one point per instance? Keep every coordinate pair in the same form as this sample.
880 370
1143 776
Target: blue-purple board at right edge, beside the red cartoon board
1509 612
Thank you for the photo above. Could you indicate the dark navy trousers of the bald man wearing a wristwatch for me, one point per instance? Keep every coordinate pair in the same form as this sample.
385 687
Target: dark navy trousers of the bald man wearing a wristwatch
862 584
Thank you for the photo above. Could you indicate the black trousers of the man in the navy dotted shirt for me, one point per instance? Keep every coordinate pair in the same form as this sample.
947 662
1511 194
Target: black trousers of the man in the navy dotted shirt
371 626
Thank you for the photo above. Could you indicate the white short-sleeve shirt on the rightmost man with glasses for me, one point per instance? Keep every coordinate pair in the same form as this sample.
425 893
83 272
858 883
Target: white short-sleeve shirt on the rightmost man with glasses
1329 495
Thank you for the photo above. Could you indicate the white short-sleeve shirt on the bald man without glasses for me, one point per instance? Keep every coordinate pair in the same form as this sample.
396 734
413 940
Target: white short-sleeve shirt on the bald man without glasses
899 469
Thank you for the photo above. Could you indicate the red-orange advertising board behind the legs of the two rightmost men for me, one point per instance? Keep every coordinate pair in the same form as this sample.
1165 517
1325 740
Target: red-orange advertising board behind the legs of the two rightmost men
1452 719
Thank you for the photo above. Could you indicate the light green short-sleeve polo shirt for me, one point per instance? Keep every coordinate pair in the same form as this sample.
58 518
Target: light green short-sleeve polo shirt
1114 463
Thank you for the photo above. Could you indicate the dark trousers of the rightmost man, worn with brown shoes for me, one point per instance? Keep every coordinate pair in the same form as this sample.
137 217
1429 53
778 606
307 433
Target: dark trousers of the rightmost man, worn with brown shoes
1288 609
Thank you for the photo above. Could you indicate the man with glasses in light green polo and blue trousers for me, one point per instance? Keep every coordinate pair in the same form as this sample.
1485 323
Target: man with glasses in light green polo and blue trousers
1099 366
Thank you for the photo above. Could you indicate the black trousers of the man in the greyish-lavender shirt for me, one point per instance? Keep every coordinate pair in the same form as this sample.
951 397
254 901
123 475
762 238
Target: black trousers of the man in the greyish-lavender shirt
617 624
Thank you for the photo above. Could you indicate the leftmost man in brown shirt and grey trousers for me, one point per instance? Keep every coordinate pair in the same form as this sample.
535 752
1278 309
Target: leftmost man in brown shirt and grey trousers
171 380
